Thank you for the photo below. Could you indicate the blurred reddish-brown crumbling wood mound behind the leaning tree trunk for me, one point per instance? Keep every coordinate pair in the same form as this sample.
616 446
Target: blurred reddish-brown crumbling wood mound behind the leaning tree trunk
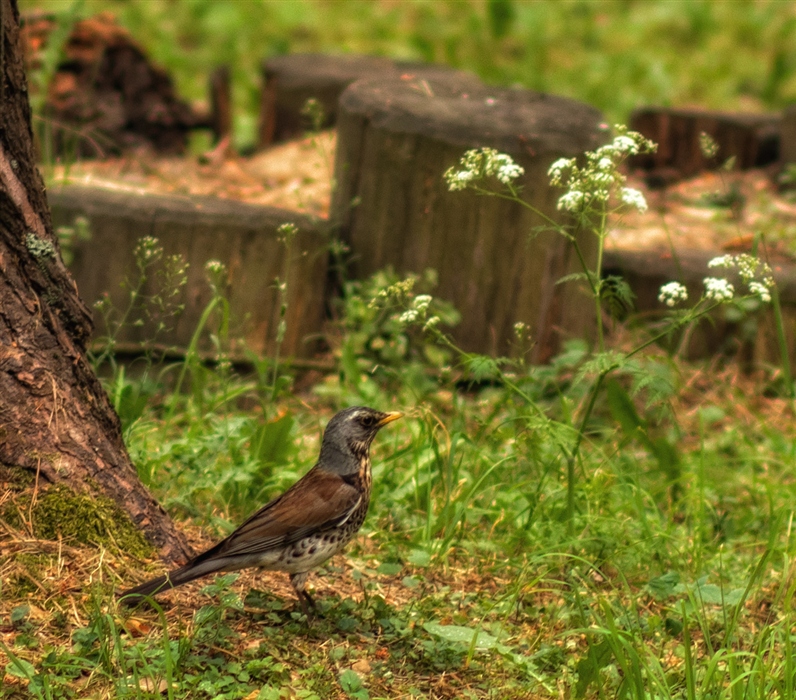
106 96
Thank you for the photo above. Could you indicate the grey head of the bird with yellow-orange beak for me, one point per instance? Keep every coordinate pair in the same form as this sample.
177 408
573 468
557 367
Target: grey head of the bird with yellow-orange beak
348 436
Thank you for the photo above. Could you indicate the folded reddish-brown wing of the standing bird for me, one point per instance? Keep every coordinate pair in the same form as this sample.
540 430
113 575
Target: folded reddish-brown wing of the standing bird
318 501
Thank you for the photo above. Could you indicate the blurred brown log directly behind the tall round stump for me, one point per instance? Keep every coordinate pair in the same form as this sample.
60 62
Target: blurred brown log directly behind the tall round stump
289 81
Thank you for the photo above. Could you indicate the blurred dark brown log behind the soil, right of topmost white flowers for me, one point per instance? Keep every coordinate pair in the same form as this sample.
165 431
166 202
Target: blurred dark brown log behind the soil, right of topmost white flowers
752 139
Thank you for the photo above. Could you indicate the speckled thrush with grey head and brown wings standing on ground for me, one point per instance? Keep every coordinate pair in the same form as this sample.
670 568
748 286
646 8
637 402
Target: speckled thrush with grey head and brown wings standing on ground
309 523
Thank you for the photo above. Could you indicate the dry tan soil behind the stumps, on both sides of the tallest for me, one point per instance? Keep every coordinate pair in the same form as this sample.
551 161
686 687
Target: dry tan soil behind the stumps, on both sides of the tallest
716 211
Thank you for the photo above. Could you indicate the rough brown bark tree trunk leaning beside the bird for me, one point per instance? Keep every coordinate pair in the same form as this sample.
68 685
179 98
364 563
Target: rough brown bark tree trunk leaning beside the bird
55 418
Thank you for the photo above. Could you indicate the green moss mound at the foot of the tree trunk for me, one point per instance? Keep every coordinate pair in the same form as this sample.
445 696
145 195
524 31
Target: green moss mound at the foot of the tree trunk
83 518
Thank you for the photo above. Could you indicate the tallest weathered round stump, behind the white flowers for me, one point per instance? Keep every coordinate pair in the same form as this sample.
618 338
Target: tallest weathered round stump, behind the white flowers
397 137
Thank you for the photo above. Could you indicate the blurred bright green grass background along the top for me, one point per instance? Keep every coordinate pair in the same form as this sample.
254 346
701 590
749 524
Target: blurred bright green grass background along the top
616 54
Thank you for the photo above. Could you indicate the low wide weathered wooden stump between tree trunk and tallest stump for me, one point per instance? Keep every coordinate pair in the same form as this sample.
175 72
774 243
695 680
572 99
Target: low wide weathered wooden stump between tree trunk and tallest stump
242 236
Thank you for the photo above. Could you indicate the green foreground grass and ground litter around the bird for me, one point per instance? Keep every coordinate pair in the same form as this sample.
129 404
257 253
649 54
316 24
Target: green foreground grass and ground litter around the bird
465 581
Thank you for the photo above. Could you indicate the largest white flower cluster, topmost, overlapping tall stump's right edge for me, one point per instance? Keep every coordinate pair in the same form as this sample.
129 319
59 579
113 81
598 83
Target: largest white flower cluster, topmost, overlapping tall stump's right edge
592 184
